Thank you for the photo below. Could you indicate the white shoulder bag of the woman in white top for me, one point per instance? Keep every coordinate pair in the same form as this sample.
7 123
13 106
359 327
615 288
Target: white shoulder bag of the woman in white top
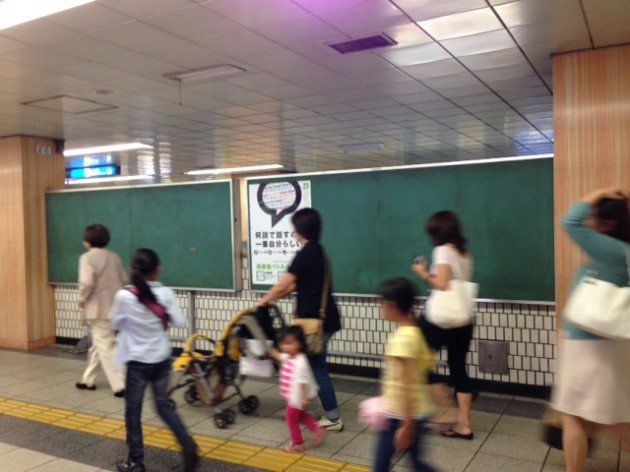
453 307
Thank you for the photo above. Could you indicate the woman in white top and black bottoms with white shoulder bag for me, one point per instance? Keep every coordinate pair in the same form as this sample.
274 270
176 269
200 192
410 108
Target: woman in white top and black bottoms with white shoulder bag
450 260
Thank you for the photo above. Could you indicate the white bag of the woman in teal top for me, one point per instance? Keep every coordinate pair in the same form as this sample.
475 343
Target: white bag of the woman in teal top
600 308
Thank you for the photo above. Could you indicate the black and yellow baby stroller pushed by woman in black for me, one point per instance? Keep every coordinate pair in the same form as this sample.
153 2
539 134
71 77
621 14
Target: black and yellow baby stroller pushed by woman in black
208 376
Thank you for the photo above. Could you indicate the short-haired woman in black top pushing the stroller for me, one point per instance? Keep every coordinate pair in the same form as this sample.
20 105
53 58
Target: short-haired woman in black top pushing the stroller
306 276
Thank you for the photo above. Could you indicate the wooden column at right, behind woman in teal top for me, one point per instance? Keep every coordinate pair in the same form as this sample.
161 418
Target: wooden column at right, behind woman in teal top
592 137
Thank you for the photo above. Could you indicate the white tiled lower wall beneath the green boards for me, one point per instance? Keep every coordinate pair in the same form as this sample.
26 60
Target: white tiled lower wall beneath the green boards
529 330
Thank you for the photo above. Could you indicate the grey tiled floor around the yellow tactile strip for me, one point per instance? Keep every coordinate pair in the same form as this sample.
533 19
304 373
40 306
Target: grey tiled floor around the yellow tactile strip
506 427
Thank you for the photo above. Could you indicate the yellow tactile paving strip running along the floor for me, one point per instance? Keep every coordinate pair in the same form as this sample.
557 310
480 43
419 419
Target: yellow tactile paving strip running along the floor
214 448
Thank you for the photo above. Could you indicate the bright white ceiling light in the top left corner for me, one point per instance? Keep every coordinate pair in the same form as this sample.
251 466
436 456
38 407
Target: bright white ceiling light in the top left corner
16 12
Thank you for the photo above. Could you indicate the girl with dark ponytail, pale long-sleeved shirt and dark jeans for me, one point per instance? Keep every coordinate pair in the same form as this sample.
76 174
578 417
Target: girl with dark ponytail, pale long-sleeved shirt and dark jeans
142 316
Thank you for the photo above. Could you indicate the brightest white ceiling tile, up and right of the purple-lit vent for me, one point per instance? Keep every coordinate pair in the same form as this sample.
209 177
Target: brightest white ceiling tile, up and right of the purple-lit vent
462 24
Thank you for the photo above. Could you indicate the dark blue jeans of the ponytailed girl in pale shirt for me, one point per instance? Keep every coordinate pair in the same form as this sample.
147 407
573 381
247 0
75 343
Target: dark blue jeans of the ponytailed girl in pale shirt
139 375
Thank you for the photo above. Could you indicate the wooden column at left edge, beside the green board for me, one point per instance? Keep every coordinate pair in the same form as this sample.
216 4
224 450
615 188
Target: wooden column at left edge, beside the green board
27 171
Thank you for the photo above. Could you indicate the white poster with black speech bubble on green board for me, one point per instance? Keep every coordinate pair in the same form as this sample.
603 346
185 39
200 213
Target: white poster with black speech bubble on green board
272 245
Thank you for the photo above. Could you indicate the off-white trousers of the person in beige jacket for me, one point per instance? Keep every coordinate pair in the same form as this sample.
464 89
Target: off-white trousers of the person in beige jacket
103 353
